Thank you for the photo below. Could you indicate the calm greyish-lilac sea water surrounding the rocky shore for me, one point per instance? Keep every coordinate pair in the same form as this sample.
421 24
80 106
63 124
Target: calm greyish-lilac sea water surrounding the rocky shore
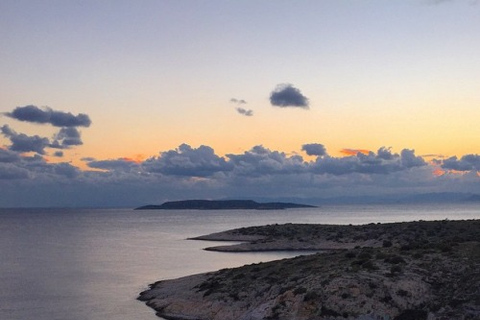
88 264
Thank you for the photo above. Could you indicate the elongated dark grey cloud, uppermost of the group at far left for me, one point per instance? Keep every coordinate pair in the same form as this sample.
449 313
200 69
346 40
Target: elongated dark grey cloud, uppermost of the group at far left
34 114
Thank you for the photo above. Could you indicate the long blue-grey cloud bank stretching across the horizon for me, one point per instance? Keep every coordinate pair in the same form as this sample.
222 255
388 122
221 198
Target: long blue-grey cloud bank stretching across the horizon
198 172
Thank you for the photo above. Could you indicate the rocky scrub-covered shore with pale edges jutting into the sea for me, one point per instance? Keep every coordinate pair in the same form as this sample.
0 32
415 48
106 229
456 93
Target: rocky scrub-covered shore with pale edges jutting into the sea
400 271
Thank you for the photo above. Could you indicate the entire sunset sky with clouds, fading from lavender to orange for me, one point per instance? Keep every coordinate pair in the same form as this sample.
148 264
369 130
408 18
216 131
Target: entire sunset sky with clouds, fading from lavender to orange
124 103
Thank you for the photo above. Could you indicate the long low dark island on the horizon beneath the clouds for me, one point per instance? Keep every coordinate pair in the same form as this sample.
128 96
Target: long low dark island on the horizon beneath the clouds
222 205
